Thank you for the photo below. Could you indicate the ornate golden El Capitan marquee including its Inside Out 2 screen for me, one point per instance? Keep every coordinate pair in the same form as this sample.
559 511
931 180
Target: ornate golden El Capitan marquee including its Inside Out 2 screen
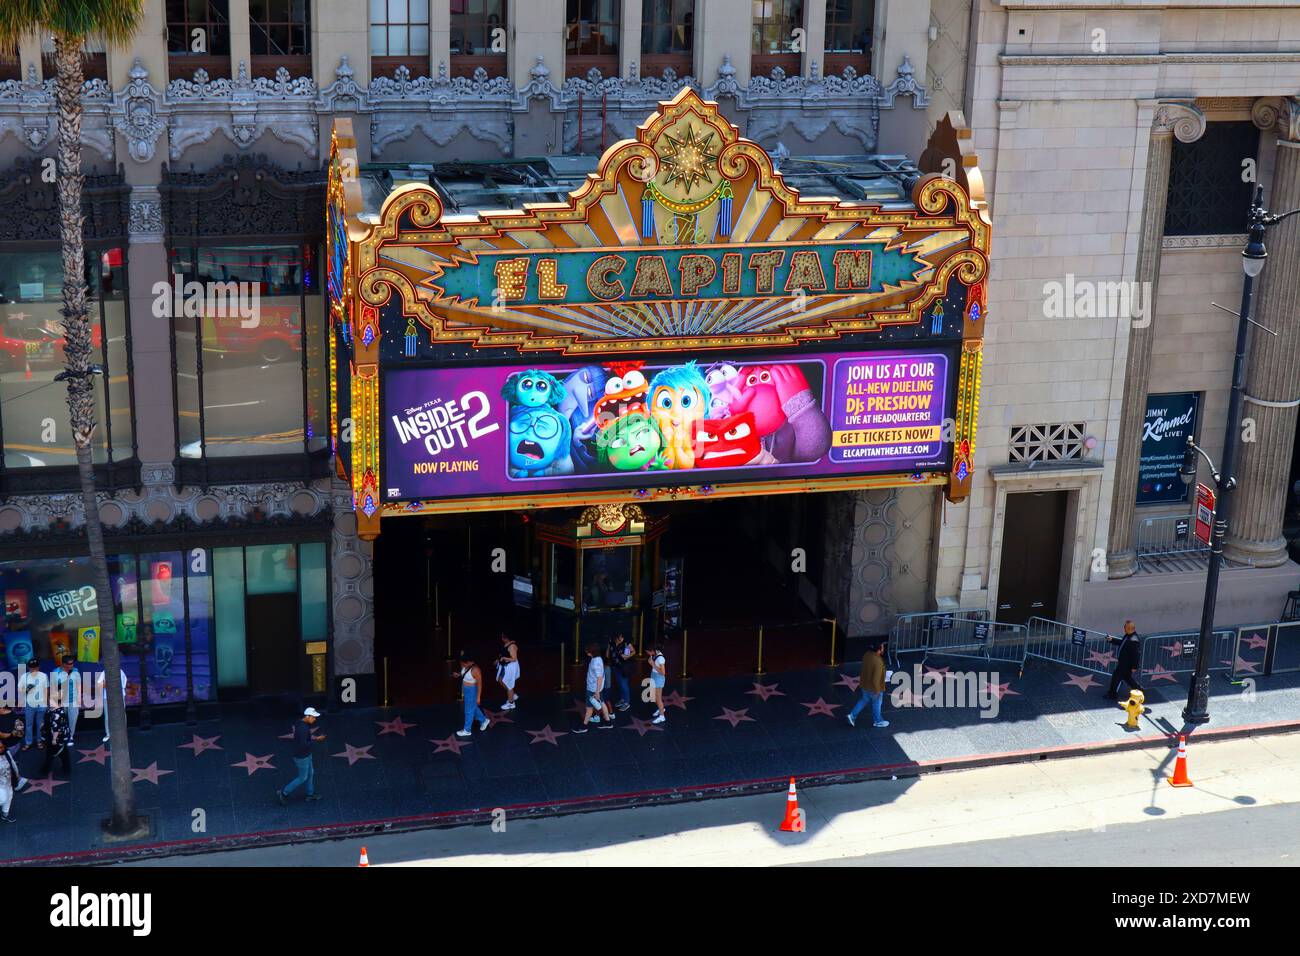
684 326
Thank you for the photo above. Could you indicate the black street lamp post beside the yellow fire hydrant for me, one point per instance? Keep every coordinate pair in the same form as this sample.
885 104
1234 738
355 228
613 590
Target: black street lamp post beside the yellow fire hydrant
1253 263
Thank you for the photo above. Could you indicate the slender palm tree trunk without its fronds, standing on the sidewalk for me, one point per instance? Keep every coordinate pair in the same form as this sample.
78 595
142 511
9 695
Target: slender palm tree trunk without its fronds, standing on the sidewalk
81 405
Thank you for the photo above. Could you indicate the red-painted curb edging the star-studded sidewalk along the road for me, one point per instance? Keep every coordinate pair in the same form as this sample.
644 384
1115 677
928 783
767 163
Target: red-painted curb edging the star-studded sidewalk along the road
618 802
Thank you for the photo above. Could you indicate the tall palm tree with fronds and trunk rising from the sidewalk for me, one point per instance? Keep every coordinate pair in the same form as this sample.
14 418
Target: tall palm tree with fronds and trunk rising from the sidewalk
72 23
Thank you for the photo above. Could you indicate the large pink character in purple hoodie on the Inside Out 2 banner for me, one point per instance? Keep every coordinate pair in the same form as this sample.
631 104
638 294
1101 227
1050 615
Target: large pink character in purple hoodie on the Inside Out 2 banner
790 421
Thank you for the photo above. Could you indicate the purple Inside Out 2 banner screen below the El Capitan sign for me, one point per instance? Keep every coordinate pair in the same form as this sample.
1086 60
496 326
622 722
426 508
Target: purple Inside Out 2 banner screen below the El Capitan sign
512 430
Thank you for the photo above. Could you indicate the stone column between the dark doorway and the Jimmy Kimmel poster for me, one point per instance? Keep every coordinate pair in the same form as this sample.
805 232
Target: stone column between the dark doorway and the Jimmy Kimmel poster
1172 119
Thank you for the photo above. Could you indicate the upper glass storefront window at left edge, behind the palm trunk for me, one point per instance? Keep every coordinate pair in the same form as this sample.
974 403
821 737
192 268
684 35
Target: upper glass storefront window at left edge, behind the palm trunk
33 406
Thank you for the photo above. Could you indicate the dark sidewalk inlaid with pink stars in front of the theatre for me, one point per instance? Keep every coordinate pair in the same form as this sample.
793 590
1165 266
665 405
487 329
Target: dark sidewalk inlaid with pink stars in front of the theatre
380 769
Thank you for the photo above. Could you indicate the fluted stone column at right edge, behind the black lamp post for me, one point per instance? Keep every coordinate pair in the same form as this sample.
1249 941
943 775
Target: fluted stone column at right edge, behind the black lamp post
1273 373
